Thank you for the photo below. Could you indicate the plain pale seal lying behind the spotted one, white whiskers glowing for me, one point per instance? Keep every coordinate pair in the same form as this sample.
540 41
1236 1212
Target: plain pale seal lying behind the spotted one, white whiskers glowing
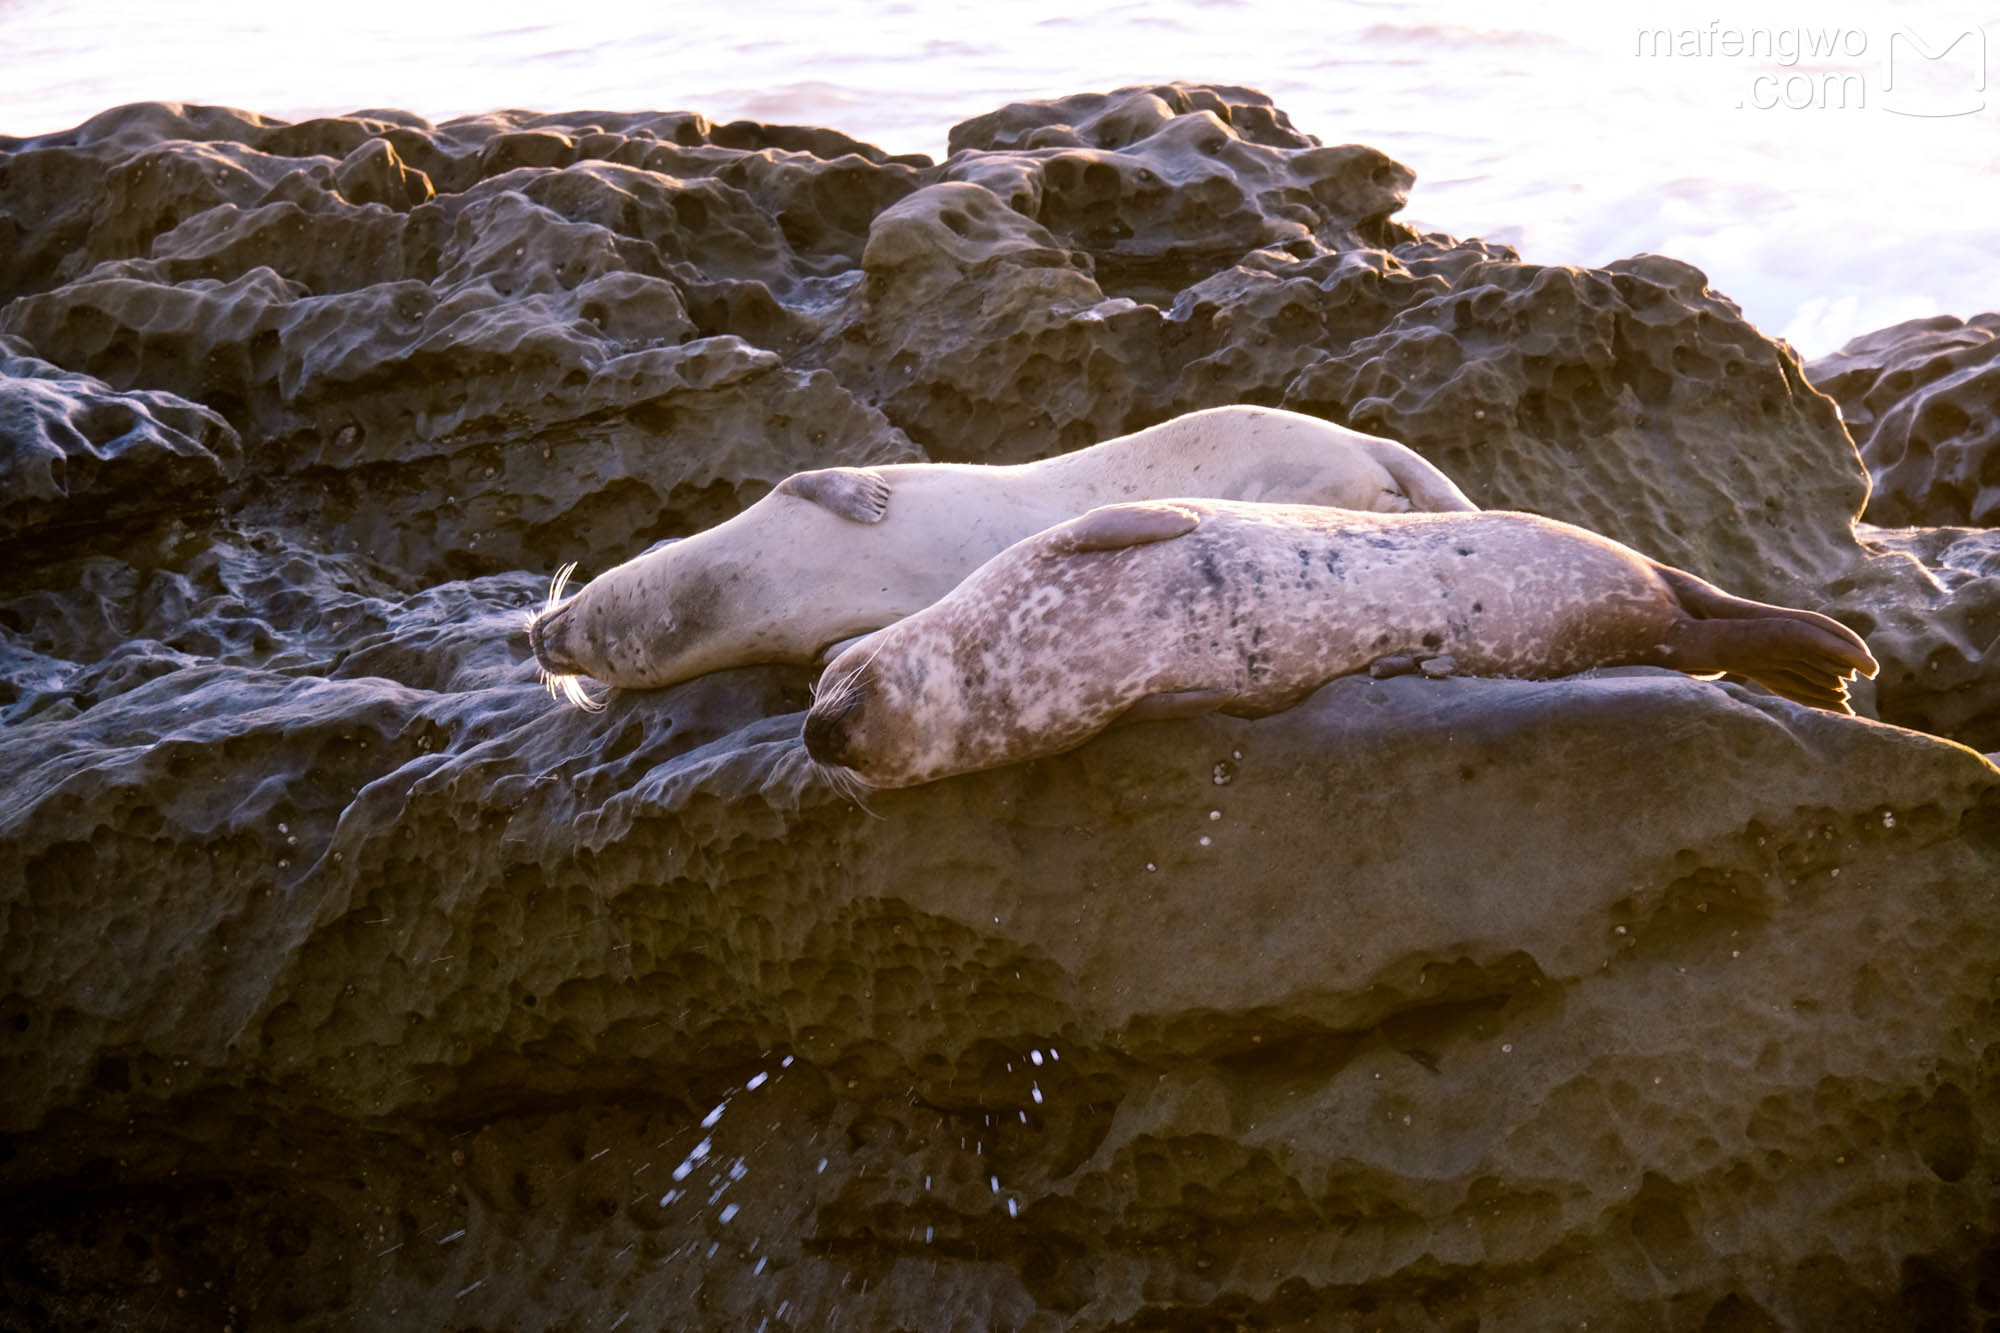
843 551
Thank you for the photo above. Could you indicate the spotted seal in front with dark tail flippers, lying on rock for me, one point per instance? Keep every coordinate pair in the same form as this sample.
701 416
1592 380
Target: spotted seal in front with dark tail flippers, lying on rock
1171 609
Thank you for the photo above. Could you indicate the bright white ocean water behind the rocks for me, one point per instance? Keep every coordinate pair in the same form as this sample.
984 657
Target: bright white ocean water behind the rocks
1831 169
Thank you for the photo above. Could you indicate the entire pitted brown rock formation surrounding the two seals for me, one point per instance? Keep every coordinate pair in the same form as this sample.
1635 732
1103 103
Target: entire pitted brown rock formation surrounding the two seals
355 984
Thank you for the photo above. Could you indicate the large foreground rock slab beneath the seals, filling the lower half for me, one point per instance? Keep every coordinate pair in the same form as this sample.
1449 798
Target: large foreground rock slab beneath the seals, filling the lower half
453 998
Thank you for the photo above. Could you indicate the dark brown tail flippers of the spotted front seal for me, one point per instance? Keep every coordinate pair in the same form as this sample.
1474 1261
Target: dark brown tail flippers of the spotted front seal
1795 653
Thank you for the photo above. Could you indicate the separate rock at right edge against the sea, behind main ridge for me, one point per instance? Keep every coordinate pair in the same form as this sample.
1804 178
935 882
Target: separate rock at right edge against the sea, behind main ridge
1923 401
